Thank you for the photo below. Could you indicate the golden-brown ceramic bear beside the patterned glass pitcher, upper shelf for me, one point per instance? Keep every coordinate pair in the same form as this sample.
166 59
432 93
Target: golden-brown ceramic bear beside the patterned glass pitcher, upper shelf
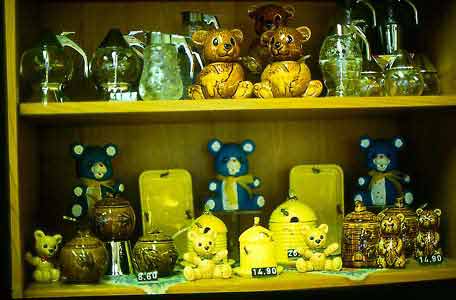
223 76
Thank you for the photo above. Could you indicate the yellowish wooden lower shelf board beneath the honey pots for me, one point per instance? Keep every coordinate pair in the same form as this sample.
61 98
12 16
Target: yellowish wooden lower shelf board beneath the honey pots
285 281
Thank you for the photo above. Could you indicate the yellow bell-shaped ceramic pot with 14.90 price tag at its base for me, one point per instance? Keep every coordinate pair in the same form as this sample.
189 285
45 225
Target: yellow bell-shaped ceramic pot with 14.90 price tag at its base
257 254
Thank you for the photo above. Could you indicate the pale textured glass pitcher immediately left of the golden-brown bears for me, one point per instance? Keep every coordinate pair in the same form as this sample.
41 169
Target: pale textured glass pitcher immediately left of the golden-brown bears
161 76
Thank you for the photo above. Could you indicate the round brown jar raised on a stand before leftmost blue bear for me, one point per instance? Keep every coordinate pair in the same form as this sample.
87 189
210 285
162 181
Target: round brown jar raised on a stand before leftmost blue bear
114 219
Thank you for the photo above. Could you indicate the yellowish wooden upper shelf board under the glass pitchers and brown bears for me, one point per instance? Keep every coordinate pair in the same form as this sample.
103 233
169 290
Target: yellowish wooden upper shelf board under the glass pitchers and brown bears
227 109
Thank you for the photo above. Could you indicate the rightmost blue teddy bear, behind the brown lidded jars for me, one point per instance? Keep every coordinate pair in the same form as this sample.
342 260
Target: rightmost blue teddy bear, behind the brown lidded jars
384 183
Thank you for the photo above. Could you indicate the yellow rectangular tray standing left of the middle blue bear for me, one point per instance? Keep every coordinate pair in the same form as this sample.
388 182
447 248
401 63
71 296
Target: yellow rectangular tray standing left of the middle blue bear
166 202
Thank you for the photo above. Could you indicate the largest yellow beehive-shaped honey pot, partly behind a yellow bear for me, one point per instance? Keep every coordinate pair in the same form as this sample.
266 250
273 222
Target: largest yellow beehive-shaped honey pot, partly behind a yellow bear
286 224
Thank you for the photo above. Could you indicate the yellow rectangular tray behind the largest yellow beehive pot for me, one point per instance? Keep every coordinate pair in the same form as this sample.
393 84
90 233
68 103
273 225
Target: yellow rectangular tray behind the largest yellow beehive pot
322 188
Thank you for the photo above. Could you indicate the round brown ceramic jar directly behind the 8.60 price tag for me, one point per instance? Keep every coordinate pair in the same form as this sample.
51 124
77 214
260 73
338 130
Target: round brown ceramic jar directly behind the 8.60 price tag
155 251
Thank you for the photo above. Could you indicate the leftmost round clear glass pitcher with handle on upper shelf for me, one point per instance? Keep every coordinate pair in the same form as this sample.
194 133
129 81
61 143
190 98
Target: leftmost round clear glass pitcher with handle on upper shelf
48 68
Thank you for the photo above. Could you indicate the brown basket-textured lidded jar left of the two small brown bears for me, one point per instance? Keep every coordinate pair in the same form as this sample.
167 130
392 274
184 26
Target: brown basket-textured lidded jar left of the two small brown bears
361 233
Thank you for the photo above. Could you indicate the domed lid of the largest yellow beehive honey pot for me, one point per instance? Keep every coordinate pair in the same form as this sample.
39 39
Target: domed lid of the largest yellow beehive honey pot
293 211
